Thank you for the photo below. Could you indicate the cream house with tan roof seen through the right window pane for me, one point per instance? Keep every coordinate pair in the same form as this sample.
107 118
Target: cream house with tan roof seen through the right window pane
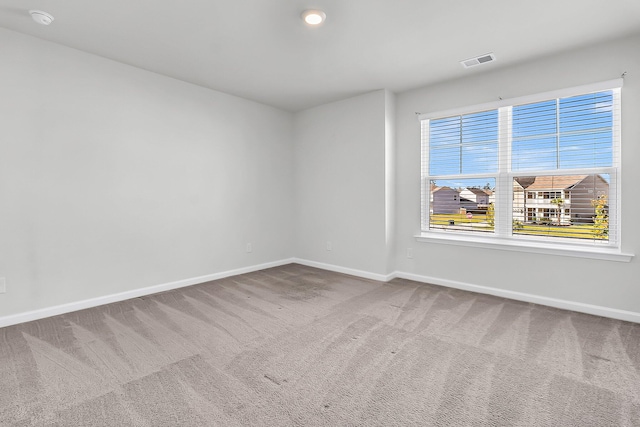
533 198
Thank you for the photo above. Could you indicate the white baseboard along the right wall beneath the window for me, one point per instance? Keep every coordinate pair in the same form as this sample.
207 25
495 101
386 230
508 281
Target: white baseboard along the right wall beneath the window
597 310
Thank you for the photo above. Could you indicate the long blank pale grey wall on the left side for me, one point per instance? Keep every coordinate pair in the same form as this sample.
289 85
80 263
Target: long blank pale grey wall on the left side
113 178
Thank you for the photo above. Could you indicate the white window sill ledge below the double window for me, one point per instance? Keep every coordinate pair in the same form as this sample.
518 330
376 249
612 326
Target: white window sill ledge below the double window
518 245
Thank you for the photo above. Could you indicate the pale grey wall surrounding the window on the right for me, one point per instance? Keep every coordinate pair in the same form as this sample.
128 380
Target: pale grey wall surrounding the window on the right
602 283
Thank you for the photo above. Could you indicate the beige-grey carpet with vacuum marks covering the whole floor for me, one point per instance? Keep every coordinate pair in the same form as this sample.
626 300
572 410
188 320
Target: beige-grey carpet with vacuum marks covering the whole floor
299 346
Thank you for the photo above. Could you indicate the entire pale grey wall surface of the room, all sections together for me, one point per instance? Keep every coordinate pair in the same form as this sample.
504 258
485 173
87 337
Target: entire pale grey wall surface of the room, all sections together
113 179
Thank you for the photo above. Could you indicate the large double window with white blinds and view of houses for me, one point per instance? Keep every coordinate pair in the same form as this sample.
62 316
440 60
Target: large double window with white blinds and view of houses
541 168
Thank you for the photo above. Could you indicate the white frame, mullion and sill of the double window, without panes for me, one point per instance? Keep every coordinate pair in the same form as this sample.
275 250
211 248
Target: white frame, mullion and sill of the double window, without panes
503 238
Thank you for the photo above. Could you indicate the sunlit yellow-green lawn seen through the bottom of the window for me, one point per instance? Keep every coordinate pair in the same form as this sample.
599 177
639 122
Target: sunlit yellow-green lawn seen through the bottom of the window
479 223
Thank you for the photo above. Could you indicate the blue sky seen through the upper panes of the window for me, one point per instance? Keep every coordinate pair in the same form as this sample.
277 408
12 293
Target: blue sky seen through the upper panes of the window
577 134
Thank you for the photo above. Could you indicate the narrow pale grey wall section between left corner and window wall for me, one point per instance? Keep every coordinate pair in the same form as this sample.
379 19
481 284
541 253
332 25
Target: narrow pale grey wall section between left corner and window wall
340 183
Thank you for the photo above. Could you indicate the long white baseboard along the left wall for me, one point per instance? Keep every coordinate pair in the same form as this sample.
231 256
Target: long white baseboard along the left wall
135 293
